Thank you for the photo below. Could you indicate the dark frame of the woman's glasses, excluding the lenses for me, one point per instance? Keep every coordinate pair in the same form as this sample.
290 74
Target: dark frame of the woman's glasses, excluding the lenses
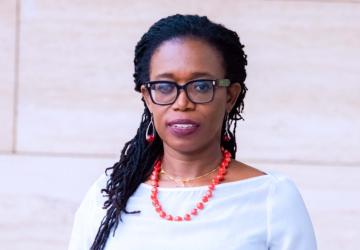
215 83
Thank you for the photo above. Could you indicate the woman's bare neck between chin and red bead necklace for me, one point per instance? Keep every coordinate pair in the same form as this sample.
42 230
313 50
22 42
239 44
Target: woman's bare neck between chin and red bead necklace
189 165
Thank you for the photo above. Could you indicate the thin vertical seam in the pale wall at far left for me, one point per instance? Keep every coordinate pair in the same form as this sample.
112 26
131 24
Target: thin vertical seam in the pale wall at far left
16 76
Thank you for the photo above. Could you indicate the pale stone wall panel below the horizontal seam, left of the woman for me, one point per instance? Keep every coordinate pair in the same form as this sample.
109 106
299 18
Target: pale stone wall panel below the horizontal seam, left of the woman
39 197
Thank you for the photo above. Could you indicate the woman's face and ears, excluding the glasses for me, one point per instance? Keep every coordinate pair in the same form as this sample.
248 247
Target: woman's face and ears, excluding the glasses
184 126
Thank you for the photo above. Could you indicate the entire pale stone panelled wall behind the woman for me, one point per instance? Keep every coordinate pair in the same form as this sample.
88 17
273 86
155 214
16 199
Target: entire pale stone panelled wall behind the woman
67 105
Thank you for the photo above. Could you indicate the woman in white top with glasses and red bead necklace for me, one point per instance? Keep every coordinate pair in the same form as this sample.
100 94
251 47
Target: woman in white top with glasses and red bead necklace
177 184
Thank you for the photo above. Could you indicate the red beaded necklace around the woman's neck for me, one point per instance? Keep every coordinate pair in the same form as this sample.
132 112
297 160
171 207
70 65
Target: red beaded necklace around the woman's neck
205 198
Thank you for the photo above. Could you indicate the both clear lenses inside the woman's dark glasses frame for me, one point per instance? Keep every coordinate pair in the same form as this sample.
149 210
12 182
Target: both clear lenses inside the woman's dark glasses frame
198 92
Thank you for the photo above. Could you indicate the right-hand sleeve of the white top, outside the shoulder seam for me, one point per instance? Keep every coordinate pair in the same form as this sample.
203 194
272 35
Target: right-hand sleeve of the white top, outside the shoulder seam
285 206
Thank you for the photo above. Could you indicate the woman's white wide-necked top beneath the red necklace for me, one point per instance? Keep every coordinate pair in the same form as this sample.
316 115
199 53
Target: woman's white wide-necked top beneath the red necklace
264 212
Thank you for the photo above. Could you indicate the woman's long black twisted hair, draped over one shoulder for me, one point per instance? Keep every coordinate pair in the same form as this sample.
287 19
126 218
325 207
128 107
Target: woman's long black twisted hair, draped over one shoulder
138 156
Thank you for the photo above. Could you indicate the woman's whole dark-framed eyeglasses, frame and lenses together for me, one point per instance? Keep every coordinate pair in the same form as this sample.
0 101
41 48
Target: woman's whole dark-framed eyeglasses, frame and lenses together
197 91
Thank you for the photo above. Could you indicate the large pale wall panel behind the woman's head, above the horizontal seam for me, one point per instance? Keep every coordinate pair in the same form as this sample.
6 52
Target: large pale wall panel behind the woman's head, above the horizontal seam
76 82
